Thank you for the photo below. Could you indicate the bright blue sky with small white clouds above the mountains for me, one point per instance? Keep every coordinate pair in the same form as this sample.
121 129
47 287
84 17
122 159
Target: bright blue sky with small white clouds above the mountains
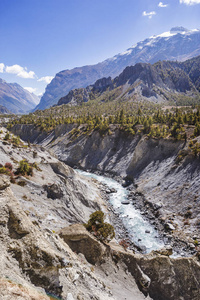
39 38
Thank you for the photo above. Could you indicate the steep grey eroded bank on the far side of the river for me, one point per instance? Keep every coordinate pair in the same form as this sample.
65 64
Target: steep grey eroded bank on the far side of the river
165 176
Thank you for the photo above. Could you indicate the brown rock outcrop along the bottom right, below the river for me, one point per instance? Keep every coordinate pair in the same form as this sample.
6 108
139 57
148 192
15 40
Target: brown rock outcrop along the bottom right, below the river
158 275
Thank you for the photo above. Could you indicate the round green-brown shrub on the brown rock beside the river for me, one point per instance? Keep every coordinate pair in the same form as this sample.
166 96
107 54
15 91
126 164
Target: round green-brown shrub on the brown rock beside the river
102 230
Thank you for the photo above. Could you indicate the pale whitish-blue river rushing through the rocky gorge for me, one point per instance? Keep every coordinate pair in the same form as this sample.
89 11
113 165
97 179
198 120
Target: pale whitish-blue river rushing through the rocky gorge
141 232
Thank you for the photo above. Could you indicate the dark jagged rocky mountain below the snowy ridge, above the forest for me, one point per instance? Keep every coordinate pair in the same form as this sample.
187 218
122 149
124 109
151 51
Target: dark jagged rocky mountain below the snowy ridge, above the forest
162 81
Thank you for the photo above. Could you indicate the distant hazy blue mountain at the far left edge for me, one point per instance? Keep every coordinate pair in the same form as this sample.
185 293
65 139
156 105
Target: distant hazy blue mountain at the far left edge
15 98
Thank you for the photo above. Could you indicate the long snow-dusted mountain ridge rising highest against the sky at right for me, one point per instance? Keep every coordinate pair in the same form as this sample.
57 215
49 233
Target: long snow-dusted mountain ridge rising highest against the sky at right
177 44
